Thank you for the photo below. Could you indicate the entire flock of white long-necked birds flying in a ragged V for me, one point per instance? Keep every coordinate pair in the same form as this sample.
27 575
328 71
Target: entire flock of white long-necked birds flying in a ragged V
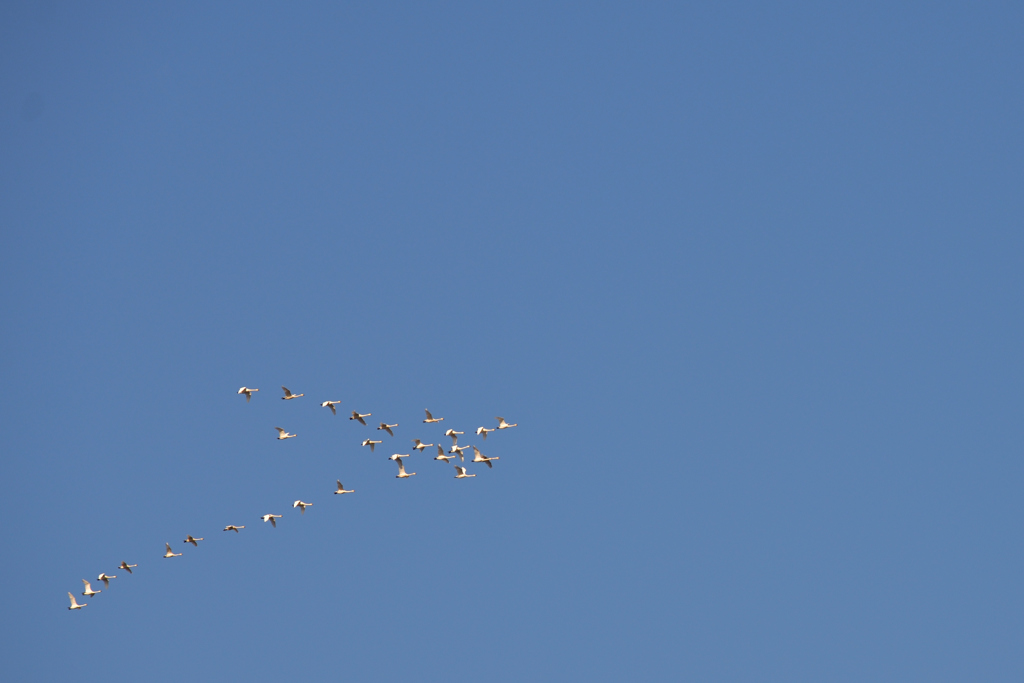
455 452
